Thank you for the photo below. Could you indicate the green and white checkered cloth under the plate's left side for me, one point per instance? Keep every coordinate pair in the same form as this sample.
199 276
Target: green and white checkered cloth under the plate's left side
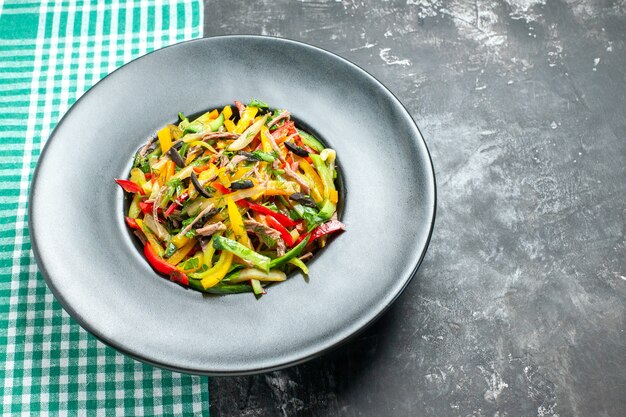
50 53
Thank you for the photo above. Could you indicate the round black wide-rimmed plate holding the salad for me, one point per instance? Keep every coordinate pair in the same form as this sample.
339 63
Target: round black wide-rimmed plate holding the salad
93 268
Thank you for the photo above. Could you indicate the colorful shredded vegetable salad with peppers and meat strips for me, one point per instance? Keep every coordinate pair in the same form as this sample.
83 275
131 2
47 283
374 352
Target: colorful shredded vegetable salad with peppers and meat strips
233 200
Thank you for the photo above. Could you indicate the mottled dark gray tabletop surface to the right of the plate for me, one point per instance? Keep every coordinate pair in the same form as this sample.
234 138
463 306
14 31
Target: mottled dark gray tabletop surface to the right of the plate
519 306
